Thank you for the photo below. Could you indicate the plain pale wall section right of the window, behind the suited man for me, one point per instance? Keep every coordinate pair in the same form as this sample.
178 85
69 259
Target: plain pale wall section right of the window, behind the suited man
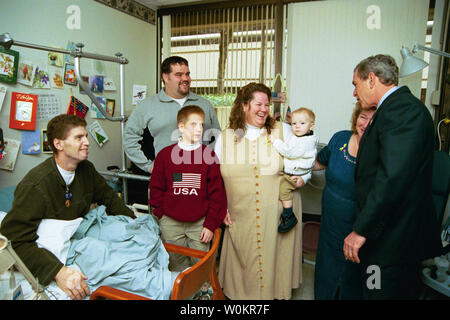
326 40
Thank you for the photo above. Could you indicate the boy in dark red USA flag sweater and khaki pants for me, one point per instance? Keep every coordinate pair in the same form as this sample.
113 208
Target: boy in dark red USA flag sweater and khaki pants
187 193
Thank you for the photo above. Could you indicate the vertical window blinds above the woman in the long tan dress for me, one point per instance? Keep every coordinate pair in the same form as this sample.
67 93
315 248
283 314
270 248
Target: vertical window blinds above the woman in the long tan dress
226 48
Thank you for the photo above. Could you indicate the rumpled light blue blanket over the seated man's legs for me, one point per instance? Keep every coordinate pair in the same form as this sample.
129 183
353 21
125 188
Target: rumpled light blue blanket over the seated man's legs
123 253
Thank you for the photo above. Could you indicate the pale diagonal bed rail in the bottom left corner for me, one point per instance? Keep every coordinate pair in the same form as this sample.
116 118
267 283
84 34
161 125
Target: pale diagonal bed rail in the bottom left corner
10 260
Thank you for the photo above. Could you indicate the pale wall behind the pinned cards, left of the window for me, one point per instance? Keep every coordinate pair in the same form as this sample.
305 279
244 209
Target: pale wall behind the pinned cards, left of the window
103 30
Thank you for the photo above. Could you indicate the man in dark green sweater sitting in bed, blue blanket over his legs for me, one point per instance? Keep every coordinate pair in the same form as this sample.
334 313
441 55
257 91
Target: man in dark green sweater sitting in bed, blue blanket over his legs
59 192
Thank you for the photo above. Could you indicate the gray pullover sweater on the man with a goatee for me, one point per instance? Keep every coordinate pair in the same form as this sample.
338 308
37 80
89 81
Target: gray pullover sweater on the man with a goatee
158 113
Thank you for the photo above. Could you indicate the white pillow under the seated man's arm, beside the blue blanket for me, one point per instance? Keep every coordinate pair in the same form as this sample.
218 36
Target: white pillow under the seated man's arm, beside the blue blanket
54 235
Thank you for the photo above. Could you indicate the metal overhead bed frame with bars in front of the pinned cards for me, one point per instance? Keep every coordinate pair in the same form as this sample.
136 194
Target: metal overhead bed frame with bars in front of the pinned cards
6 41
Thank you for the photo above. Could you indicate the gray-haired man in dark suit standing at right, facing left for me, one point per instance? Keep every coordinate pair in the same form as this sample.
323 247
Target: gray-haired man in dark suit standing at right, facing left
396 225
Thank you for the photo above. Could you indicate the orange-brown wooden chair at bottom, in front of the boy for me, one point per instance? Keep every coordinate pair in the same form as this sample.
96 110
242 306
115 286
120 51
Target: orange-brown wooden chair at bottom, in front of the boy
187 282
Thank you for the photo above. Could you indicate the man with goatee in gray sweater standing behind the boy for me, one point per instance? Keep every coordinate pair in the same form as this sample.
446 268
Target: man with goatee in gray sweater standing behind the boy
158 113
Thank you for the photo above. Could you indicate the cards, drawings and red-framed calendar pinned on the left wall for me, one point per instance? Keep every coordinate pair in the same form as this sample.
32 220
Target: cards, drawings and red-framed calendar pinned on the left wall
46 74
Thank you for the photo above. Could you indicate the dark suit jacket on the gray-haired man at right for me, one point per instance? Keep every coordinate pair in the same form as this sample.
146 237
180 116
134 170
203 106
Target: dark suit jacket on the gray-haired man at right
394 206
